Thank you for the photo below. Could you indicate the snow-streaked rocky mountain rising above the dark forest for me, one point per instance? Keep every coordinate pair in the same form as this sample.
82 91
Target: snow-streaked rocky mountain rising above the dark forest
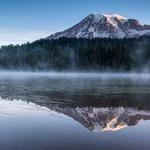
105 26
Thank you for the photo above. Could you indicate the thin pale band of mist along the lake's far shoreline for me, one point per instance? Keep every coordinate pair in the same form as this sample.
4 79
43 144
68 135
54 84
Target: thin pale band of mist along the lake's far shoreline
102 75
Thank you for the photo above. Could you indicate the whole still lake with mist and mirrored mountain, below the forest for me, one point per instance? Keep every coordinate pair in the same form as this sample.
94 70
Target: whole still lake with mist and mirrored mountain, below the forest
74 111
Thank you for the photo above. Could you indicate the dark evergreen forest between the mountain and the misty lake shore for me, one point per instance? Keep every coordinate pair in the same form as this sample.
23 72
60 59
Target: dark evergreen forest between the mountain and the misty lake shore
70 54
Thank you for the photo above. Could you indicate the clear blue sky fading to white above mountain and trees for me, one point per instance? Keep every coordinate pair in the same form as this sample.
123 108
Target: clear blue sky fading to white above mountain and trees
29 20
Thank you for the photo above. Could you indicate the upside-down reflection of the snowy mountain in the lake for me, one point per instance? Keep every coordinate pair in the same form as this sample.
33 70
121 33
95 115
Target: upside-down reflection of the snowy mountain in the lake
104 119
